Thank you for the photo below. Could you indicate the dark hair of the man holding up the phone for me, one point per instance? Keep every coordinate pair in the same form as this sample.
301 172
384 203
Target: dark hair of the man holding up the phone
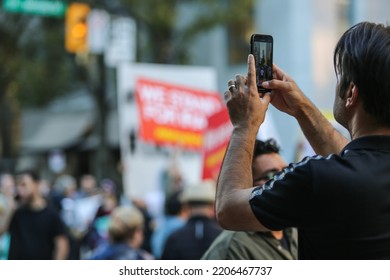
362 56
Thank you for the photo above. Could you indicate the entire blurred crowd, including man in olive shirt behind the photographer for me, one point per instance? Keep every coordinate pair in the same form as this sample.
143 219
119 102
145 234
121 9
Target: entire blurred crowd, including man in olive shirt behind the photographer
86 218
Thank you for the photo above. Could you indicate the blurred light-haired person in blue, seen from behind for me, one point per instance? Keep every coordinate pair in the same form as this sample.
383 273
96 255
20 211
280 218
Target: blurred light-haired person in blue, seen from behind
126 235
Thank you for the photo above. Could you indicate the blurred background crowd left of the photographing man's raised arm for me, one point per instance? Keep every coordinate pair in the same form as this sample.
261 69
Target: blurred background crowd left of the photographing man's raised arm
89 219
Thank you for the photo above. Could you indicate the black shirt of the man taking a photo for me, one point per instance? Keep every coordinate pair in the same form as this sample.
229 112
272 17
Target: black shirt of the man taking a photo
340 204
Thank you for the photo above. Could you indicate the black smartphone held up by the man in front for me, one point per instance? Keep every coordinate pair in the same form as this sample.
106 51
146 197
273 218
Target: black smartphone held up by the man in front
262 50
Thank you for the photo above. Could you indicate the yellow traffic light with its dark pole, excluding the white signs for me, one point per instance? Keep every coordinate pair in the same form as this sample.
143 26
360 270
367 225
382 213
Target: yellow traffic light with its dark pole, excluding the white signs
93 63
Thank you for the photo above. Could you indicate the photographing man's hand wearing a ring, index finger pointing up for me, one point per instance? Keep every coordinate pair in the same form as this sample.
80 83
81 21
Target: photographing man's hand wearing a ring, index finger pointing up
246 109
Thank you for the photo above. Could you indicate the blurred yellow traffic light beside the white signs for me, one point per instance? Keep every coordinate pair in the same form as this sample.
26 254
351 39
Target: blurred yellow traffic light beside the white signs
76 28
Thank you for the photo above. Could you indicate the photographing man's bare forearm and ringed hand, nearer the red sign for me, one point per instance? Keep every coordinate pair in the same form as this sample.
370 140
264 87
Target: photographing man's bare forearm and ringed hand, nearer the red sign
234 186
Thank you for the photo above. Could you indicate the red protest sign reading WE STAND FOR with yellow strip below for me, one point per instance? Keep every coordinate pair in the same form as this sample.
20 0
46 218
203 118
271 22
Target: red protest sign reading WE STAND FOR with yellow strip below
174 115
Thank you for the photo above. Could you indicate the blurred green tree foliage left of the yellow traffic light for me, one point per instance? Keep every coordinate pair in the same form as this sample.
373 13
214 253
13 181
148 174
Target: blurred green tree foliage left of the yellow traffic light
34 67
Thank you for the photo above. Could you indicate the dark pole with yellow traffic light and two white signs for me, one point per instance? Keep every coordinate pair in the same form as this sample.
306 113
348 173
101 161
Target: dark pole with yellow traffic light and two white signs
100 53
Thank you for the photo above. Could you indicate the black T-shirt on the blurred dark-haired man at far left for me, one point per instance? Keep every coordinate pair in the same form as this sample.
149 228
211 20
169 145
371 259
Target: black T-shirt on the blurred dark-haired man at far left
33 233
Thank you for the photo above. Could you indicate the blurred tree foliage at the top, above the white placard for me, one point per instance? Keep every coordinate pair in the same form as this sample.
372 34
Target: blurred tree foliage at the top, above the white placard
168 42
